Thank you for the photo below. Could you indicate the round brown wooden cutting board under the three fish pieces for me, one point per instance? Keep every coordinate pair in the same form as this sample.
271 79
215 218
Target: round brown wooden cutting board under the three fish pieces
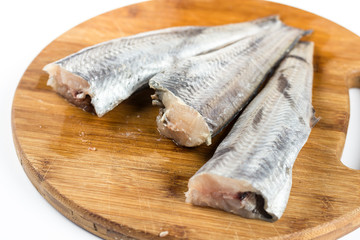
118 178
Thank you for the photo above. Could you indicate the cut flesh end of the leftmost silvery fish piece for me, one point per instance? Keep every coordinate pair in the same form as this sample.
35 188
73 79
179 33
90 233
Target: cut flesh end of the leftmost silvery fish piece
72 87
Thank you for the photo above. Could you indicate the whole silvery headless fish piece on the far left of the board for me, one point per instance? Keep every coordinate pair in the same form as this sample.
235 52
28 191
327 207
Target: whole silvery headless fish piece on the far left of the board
98 78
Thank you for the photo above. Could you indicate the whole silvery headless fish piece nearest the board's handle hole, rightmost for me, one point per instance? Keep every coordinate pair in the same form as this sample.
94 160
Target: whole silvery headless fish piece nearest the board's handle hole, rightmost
250 173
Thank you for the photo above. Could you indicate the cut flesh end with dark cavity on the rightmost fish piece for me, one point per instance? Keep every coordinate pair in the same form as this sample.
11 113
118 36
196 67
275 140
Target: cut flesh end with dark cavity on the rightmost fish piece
238 197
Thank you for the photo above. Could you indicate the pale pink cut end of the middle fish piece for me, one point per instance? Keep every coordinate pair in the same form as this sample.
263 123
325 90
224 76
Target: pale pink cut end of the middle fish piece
180 122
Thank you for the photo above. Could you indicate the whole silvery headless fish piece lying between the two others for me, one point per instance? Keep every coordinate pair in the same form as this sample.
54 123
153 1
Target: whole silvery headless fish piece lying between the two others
202 94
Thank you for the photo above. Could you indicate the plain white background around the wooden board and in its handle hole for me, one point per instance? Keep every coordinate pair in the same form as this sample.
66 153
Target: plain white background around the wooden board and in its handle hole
26 28
